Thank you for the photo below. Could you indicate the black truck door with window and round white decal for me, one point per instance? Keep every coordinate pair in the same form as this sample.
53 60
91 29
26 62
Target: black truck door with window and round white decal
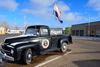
45 38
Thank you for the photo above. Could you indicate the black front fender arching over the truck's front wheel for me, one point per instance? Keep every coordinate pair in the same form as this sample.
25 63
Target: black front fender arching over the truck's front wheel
20 47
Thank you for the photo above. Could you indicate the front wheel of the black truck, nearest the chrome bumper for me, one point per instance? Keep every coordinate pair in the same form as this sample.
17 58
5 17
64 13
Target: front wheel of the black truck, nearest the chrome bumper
27 56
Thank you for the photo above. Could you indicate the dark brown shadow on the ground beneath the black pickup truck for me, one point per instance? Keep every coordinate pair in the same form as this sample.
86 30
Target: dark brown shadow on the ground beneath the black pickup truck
36 59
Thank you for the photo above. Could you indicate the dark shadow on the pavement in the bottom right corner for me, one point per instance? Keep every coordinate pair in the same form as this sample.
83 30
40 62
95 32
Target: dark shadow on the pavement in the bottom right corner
88 63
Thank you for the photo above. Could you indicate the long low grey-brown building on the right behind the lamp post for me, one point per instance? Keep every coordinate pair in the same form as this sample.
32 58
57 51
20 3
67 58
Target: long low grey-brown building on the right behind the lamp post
82 29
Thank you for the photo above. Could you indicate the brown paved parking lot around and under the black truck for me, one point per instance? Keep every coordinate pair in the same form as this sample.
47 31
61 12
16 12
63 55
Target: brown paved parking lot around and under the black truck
82 53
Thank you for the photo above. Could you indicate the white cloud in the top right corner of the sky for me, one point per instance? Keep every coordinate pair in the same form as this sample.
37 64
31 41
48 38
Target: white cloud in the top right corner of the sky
94 3
